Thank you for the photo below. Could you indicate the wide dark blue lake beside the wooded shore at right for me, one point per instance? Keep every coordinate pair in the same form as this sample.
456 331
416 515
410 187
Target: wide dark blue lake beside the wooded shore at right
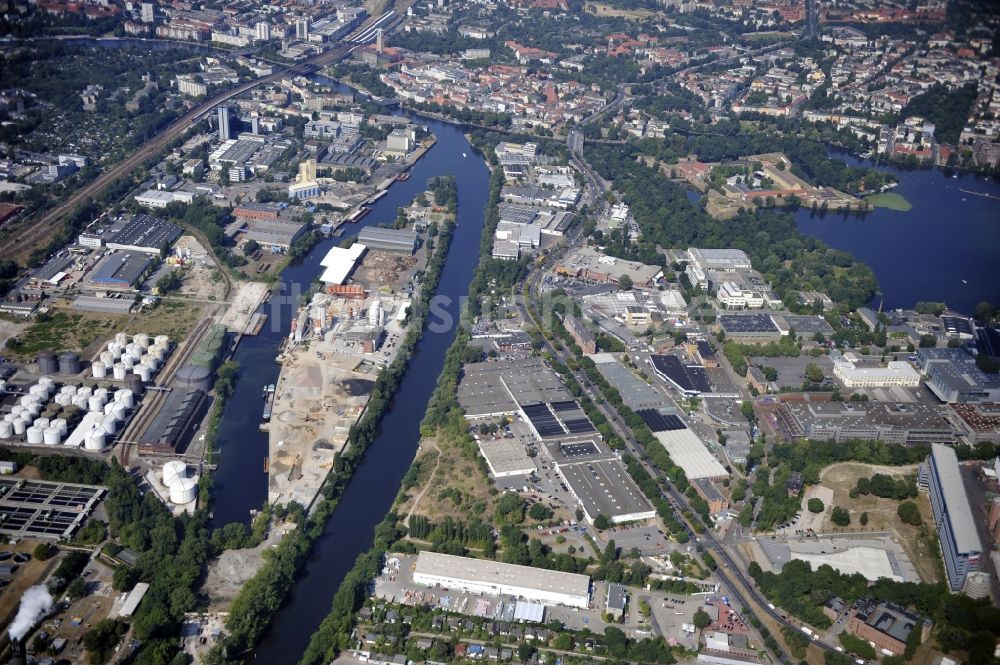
926 253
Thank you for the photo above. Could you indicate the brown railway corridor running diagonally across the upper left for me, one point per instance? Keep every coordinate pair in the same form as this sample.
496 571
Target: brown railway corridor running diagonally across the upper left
44 228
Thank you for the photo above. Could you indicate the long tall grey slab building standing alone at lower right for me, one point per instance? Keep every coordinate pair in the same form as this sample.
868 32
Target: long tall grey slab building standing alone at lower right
960 545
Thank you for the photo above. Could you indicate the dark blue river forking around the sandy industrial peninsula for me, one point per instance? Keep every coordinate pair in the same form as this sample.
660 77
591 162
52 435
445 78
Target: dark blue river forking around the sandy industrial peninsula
240 481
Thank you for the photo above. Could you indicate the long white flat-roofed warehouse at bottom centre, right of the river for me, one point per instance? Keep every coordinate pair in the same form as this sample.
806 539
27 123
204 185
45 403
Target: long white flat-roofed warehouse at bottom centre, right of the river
506 579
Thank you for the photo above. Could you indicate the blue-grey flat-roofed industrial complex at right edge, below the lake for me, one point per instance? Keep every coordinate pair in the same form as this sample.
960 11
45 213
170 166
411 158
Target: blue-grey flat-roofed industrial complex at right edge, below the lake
952 375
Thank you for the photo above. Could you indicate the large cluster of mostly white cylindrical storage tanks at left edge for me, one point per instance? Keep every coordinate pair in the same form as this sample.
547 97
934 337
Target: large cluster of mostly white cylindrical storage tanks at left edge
51 412
